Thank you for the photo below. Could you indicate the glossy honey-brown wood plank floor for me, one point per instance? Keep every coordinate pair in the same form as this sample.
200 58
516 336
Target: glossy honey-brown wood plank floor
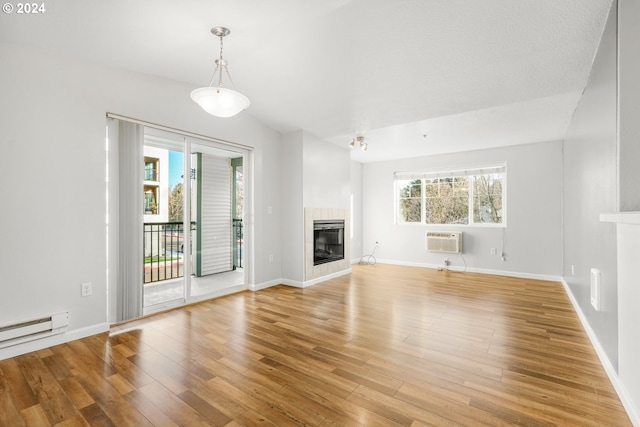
384 346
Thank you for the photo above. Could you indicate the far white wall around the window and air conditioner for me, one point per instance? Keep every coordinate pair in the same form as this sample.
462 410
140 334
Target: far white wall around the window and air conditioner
533 236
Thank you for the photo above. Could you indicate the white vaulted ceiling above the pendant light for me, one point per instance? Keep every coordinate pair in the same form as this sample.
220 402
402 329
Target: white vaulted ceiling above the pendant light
468 74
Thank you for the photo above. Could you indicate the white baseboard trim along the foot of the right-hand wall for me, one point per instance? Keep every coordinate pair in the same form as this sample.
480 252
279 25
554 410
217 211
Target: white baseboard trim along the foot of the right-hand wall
630 406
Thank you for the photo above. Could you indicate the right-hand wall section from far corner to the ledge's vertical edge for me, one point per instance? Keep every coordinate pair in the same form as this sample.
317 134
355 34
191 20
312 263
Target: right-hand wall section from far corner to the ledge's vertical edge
590 184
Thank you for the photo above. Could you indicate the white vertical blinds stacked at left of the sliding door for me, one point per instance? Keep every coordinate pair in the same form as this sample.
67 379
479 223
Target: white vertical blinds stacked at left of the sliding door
126 217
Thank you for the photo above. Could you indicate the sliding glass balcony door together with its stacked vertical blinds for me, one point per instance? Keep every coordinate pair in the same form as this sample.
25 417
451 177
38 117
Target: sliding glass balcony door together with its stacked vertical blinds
176 207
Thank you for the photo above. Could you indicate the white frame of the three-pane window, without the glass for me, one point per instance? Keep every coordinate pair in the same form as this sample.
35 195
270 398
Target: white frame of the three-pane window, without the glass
471 172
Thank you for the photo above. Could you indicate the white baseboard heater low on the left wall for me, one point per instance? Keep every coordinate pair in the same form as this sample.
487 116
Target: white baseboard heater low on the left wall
28 330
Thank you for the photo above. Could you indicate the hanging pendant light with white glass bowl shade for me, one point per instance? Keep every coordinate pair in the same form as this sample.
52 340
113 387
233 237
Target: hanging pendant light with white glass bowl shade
219 101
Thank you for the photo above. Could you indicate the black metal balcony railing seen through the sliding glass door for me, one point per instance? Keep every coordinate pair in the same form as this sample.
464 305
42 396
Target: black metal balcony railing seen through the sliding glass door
163 245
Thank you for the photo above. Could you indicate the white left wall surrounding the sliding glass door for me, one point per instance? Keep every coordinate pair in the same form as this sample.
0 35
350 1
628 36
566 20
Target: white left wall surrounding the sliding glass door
52 166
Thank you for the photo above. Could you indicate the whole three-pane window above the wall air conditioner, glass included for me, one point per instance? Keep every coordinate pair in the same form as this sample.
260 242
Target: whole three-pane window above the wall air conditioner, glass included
472 196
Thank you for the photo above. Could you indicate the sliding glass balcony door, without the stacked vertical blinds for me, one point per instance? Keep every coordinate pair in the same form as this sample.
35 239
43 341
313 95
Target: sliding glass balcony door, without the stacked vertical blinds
191 220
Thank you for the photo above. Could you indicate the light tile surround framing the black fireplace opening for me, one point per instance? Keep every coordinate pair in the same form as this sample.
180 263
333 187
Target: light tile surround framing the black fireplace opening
311 271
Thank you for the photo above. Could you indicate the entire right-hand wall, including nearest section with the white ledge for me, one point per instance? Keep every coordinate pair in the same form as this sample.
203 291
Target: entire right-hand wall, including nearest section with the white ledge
601 152
